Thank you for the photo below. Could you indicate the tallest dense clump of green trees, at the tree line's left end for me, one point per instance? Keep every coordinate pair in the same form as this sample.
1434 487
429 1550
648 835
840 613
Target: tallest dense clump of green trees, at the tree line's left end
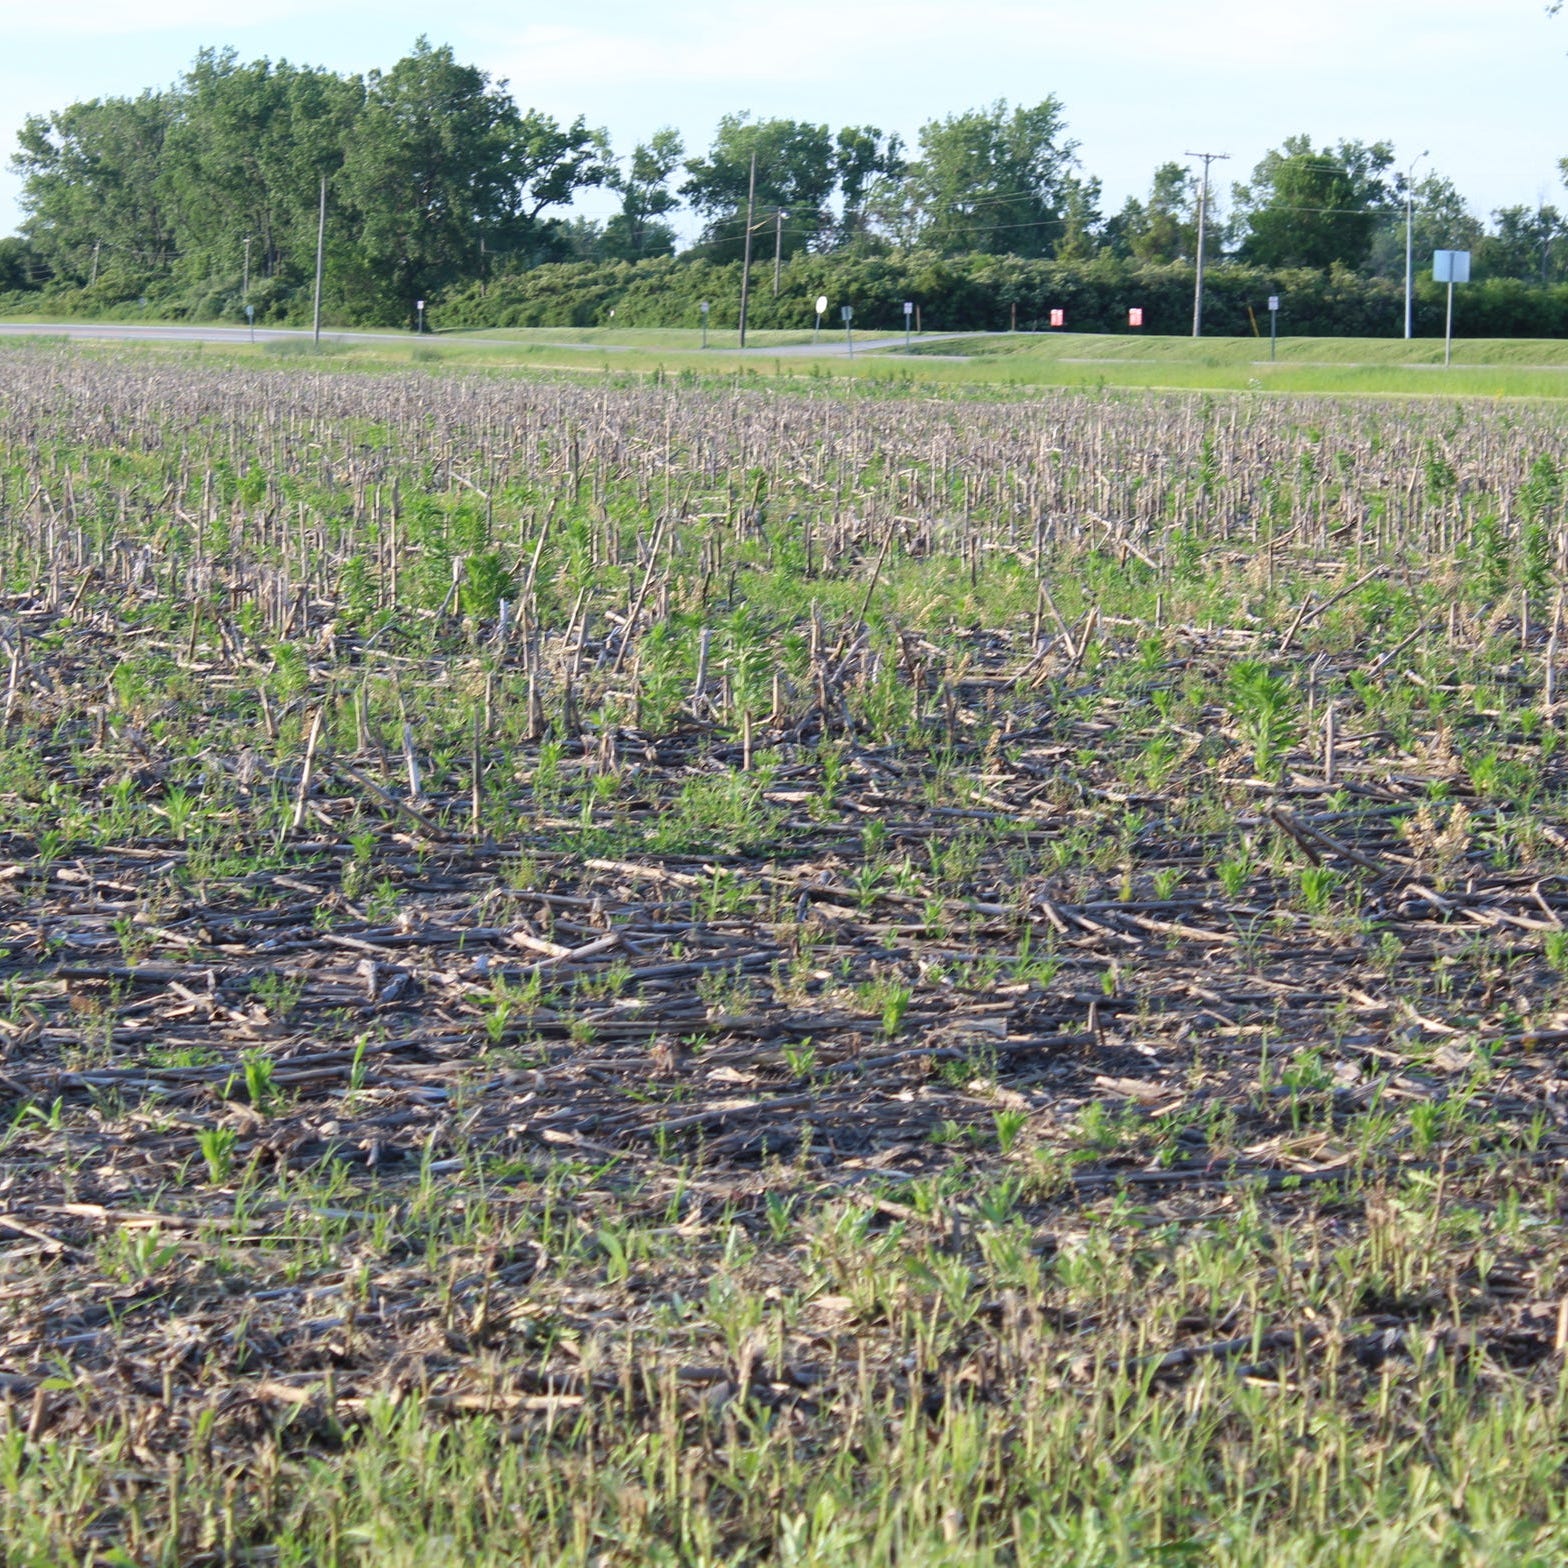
432 170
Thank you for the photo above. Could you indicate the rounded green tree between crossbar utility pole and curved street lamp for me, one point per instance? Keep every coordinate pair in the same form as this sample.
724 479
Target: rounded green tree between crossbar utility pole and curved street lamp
1313 206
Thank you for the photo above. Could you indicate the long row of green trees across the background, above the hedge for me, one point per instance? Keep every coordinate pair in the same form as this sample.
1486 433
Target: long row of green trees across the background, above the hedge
205 197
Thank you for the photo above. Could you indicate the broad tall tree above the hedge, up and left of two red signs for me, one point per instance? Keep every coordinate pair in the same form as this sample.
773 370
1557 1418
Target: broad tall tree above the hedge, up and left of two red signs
993 180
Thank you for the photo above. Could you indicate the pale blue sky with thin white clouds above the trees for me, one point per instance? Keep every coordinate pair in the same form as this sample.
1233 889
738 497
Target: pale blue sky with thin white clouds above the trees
1481 84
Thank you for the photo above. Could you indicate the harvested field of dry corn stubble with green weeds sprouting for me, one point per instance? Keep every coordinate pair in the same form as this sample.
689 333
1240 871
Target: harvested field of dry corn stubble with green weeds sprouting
691 973
